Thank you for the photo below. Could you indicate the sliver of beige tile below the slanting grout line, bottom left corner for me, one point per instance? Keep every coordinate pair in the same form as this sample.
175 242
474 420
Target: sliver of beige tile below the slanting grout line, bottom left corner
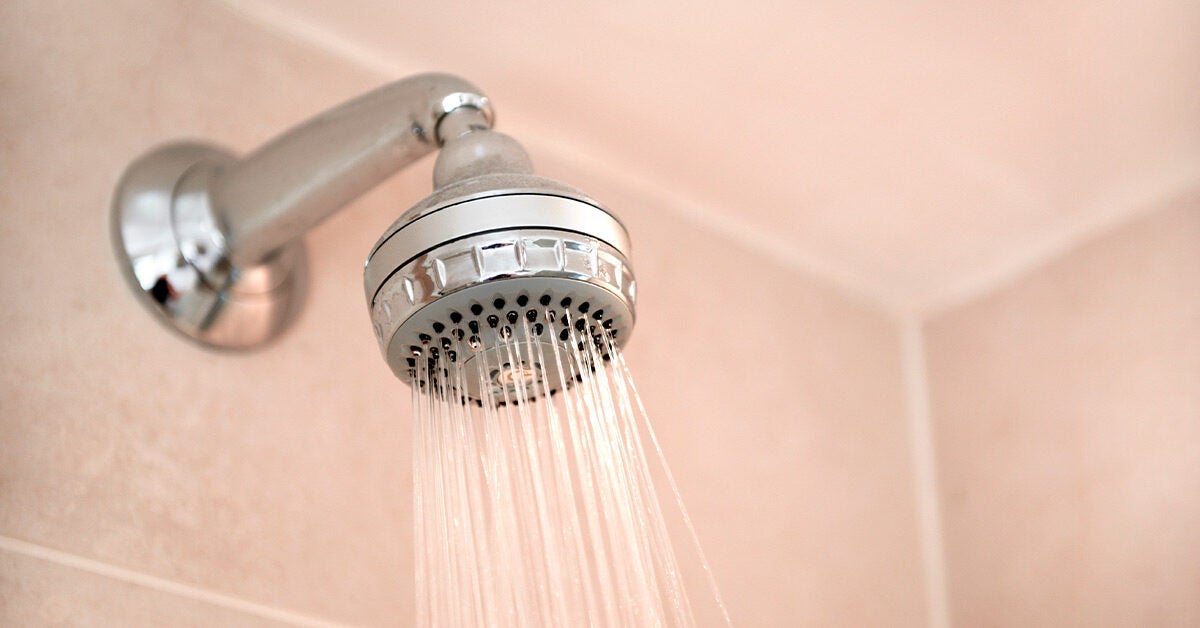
35 593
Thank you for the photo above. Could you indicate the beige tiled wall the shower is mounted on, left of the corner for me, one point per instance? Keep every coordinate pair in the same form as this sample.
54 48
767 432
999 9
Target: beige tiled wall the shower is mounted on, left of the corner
281 477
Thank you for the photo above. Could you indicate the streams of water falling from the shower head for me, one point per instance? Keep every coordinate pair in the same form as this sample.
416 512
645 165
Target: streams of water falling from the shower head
536 506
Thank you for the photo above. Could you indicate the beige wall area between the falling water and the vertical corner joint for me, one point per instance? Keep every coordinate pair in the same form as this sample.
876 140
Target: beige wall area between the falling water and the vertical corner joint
779 405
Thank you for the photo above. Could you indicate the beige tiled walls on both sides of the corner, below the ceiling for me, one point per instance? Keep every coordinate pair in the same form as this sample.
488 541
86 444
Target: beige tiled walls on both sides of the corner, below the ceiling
145 482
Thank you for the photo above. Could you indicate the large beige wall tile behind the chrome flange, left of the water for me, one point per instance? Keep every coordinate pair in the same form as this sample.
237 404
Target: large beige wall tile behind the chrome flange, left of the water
280 477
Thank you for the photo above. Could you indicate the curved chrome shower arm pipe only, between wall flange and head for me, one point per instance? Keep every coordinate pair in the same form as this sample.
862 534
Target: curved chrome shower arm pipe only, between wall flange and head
277 194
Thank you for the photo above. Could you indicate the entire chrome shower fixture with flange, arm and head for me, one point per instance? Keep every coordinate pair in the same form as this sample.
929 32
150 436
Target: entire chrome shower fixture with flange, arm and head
214 244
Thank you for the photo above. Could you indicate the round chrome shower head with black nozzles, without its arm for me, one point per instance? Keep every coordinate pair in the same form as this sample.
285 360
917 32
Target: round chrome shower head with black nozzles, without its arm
497 254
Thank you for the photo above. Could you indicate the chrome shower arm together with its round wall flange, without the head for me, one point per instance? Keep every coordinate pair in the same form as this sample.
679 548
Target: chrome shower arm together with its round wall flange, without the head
213 244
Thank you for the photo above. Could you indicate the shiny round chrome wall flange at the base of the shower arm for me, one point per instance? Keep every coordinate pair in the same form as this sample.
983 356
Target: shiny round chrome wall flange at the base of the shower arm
178 264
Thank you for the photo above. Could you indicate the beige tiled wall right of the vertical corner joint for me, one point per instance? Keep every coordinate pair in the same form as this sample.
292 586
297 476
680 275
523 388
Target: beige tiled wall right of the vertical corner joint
1067 412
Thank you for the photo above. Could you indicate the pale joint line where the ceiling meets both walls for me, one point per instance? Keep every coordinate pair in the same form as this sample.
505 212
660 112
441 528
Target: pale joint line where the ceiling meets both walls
1041 248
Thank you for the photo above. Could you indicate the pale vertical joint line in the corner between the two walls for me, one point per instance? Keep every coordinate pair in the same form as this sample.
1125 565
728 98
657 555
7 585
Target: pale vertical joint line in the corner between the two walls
925 465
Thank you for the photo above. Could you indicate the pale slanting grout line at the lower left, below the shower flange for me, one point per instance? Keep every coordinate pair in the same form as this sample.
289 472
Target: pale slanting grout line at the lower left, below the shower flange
160 584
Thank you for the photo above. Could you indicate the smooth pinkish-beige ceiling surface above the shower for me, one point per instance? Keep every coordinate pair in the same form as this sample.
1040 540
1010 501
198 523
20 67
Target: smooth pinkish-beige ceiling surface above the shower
910 147
